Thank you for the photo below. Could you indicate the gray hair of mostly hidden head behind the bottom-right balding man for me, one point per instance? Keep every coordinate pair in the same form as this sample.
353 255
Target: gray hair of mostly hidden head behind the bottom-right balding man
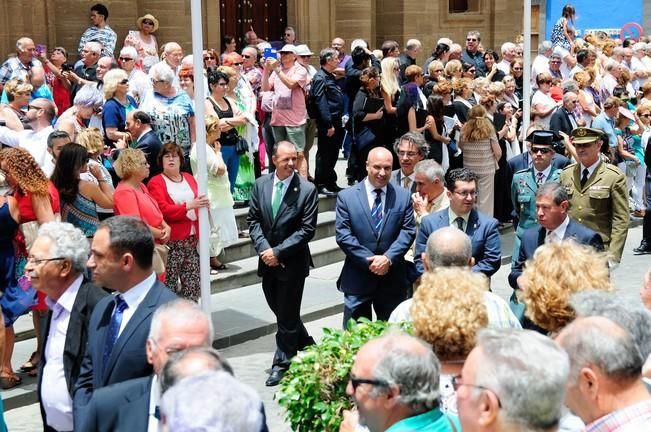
630 315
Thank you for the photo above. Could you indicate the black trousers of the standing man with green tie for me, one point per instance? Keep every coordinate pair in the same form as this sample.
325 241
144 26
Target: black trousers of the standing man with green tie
284 298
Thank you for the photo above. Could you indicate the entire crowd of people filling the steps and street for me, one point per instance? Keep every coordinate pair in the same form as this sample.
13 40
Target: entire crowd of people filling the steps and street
99 224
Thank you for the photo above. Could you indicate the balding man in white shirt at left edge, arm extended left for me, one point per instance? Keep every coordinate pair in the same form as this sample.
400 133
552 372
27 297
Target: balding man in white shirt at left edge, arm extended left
40 113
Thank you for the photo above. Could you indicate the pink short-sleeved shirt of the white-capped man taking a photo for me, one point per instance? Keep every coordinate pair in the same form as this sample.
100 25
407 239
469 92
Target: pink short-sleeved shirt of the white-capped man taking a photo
289 104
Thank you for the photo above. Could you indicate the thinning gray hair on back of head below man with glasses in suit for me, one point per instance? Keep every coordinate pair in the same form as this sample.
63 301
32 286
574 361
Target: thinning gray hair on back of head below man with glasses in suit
448 247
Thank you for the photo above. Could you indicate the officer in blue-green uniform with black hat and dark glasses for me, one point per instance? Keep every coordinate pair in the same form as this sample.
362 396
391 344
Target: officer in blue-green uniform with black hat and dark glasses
525 182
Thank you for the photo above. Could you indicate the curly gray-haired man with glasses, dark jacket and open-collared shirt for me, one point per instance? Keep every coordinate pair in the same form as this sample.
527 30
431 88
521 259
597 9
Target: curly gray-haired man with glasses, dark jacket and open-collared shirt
56 268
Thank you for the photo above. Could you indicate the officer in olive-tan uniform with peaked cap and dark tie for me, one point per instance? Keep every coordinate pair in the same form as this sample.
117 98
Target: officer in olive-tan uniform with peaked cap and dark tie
597 192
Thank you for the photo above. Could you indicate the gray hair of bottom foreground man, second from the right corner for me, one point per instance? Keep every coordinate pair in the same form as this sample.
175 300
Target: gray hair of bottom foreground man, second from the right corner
528 373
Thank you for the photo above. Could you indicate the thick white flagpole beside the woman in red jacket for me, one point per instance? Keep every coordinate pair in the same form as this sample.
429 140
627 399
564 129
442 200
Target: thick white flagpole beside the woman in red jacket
202 172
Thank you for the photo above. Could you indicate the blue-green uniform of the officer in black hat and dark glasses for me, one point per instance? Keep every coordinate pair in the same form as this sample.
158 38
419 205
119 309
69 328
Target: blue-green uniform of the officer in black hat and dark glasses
523 196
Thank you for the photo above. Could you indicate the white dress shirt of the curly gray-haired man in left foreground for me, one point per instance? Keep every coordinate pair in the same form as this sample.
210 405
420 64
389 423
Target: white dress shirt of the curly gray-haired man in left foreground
55 398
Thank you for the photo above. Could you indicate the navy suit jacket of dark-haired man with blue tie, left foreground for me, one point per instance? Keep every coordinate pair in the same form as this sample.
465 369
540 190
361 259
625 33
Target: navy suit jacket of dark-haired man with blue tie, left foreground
128 359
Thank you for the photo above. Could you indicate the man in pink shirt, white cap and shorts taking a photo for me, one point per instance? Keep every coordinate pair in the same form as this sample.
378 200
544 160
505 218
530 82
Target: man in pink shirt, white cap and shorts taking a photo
287 79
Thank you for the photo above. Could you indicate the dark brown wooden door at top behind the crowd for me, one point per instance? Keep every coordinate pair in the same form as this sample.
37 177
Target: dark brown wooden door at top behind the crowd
268 18
